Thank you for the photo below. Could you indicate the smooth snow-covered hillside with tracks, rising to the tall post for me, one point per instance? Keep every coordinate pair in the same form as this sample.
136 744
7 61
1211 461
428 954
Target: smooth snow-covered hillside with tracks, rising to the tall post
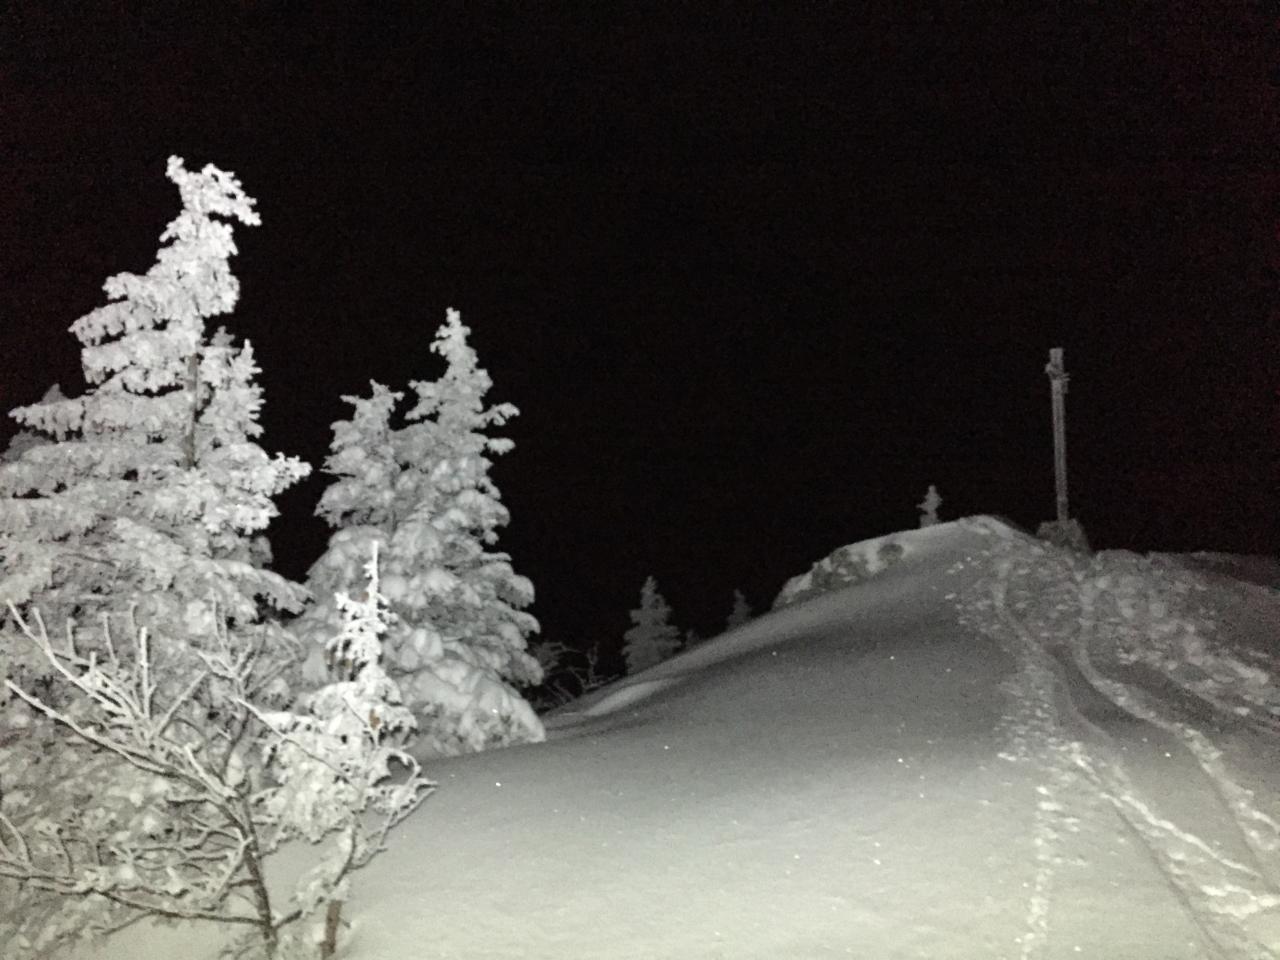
967 755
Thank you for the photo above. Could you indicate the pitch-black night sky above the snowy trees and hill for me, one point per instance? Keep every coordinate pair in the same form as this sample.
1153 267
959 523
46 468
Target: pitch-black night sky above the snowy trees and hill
756 275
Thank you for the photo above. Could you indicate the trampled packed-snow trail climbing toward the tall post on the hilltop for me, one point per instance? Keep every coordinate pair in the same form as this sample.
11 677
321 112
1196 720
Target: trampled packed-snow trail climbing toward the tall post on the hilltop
1227 885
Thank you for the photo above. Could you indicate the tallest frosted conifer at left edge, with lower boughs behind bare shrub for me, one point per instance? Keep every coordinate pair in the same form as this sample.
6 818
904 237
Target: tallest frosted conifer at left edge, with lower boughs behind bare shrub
140 506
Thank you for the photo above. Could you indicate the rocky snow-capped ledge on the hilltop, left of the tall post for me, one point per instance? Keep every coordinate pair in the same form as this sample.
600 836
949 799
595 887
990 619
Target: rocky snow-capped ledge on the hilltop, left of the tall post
862 561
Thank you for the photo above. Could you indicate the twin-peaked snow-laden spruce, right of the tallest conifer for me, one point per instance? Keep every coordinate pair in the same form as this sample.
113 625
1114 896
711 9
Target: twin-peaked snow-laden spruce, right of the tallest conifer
459 647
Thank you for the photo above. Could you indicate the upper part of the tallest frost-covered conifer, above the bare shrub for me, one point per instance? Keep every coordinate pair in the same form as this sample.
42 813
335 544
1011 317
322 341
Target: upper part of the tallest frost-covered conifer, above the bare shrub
152 487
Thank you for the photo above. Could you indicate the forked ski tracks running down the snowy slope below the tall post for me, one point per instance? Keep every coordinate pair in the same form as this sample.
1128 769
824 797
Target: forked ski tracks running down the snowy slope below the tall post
1048 726
